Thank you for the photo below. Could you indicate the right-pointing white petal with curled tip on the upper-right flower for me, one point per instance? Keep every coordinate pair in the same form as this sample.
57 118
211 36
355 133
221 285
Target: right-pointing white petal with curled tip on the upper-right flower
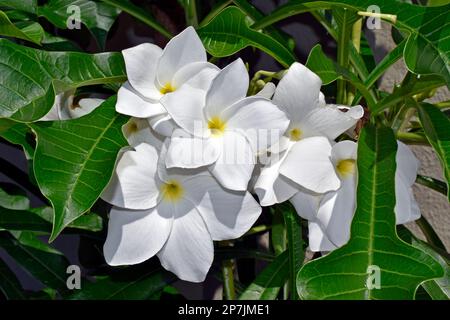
330 121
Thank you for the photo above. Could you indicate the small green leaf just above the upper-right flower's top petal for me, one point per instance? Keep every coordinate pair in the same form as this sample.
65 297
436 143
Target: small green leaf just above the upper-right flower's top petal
329 71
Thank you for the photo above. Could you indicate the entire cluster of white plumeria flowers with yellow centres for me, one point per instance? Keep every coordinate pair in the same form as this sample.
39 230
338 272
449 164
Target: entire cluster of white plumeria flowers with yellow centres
199 146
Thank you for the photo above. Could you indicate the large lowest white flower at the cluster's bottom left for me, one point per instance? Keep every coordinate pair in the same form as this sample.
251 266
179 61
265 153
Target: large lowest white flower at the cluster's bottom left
172 213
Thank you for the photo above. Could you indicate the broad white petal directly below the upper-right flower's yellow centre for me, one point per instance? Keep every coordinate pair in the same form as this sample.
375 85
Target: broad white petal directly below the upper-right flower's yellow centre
308 163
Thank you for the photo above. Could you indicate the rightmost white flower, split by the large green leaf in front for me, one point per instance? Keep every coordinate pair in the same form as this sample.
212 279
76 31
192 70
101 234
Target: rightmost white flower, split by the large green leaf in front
331 214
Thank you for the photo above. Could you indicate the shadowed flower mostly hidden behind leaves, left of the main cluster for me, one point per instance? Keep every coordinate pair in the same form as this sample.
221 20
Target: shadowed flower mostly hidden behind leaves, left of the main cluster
65 108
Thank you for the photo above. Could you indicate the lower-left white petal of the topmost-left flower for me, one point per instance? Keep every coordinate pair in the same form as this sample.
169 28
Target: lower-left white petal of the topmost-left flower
129 102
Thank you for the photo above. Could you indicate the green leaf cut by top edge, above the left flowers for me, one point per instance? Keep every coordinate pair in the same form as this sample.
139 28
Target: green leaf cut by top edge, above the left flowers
97 17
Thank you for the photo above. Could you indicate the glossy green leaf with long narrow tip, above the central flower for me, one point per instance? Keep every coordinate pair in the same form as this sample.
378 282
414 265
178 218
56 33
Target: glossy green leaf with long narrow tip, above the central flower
229 32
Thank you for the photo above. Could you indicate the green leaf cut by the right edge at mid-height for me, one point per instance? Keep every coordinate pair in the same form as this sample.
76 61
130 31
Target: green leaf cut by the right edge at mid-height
437 129
